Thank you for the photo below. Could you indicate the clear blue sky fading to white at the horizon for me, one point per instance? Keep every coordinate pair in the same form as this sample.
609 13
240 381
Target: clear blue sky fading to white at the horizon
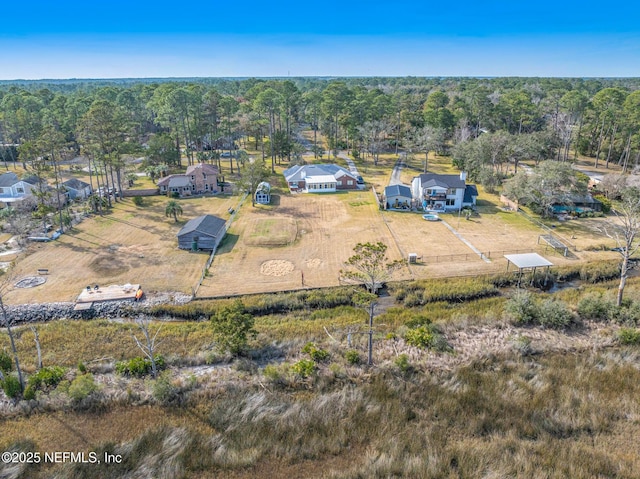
116 39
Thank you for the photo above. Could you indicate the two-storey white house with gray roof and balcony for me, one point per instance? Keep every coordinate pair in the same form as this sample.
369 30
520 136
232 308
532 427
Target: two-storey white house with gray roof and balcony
435 192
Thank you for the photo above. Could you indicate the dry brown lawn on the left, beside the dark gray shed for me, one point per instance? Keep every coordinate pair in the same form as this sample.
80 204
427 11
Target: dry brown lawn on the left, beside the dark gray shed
129 245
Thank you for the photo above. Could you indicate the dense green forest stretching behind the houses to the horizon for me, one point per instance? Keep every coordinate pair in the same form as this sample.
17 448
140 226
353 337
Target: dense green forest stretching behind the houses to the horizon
488 125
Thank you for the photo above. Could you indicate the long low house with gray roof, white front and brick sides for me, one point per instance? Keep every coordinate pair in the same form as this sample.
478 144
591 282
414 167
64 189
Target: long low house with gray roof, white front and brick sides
319 178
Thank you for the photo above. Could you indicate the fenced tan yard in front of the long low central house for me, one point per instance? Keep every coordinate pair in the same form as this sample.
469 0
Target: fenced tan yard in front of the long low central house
327 228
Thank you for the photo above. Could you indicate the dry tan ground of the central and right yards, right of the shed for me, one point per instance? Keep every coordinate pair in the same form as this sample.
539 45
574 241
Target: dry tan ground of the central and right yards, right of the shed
303 241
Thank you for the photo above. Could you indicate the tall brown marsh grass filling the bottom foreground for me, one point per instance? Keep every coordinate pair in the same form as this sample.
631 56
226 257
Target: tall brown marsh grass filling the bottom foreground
555 416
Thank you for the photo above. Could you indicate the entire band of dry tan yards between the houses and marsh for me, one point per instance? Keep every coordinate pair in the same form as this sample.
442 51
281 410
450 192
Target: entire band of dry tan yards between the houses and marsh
298 241
